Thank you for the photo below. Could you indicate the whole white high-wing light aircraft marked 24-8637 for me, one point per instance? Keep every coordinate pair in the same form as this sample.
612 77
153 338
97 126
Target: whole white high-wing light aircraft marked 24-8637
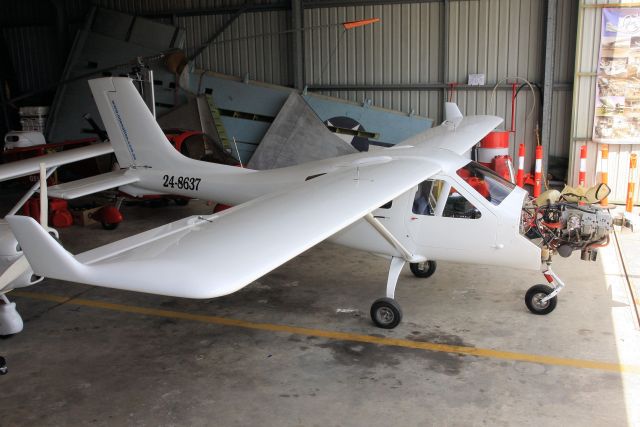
416 202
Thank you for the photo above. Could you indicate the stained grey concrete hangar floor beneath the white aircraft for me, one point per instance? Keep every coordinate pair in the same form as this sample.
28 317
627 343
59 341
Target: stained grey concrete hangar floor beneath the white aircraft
81 363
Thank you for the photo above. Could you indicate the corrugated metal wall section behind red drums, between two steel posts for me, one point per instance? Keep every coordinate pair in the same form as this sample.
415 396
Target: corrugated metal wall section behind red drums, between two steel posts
500 39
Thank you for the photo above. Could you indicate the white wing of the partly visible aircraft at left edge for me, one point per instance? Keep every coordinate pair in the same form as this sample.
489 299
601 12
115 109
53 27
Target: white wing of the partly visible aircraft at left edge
28 166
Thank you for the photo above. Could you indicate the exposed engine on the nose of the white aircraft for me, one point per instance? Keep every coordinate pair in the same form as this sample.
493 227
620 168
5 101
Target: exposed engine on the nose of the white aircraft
565 227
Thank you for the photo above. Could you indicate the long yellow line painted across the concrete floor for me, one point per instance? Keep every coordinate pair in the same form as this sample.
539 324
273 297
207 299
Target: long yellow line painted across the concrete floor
342 336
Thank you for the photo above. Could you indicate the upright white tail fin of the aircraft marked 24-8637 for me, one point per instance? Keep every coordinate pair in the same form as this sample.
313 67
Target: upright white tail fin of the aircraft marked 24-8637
135 135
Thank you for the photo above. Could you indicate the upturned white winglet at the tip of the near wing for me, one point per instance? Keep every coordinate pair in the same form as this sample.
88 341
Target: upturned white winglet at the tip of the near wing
46 256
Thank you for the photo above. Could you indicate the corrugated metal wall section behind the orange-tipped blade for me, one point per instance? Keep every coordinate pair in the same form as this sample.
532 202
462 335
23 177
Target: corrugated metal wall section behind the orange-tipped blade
404 48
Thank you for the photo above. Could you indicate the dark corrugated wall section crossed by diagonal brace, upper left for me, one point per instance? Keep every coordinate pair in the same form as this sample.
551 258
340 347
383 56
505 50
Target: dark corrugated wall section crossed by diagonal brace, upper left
265 58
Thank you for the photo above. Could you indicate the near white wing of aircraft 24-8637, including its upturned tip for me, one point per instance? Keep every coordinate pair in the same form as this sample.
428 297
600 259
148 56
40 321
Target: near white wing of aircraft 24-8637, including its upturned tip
206 257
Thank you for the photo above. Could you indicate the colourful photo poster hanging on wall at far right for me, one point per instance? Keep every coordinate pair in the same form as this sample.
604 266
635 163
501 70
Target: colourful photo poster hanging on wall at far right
617 112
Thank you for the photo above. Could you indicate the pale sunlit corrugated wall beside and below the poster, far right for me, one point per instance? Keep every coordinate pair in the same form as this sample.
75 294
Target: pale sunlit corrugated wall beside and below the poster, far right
586 60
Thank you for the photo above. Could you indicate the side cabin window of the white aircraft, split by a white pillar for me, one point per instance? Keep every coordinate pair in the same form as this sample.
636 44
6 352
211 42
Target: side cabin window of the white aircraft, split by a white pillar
437 198
